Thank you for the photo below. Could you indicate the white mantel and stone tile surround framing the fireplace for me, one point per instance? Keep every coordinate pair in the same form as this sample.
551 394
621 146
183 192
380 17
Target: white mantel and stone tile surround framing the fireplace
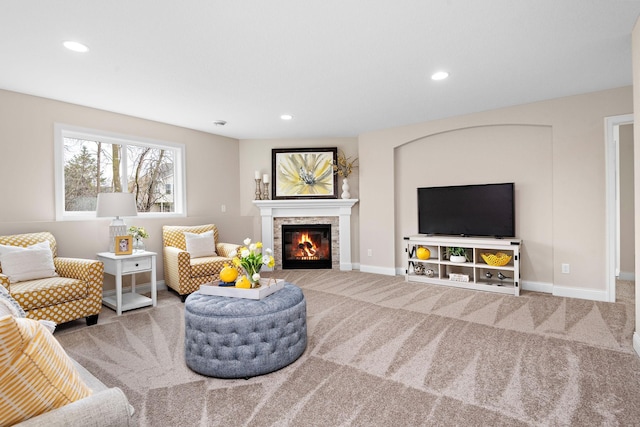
313 209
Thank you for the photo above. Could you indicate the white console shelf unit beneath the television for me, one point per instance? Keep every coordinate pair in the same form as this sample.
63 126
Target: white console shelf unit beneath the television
475 273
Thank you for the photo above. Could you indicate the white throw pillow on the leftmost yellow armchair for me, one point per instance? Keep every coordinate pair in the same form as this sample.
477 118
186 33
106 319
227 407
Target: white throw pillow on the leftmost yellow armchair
32 262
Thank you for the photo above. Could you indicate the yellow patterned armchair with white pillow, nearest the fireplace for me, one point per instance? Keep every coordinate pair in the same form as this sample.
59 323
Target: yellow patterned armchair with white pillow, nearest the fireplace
193 259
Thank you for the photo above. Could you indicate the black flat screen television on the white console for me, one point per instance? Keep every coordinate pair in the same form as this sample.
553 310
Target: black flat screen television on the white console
467 210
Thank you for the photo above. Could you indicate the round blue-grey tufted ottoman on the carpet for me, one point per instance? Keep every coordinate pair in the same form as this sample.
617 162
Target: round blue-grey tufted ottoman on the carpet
241 338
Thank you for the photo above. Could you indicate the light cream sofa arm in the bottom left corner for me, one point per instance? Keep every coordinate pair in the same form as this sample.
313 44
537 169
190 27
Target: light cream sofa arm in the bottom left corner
108 407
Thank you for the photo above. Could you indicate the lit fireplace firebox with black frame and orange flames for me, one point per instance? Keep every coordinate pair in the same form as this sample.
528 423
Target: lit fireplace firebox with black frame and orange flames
306 246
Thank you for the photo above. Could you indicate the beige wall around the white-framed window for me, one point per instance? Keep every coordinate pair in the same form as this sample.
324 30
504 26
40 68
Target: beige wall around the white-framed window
27 174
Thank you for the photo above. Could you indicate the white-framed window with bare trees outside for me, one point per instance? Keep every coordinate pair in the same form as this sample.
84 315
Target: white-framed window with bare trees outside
89 162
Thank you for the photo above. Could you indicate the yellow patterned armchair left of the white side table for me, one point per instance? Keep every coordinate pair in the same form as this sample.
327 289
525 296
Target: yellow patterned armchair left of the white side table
70 291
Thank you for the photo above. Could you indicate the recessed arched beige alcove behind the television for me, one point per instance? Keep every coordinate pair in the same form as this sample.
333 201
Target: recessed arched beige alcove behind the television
485 154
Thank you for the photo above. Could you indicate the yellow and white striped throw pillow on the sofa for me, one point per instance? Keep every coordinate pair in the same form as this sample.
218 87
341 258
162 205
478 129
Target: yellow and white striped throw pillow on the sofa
36 375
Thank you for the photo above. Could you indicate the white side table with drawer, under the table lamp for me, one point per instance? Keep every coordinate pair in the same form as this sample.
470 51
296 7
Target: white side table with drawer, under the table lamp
119 265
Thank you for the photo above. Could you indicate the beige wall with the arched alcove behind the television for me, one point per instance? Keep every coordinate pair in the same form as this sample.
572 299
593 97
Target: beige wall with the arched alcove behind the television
568 196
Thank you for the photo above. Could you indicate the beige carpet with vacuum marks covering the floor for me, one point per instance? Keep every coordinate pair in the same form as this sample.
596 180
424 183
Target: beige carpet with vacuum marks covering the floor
383 352
